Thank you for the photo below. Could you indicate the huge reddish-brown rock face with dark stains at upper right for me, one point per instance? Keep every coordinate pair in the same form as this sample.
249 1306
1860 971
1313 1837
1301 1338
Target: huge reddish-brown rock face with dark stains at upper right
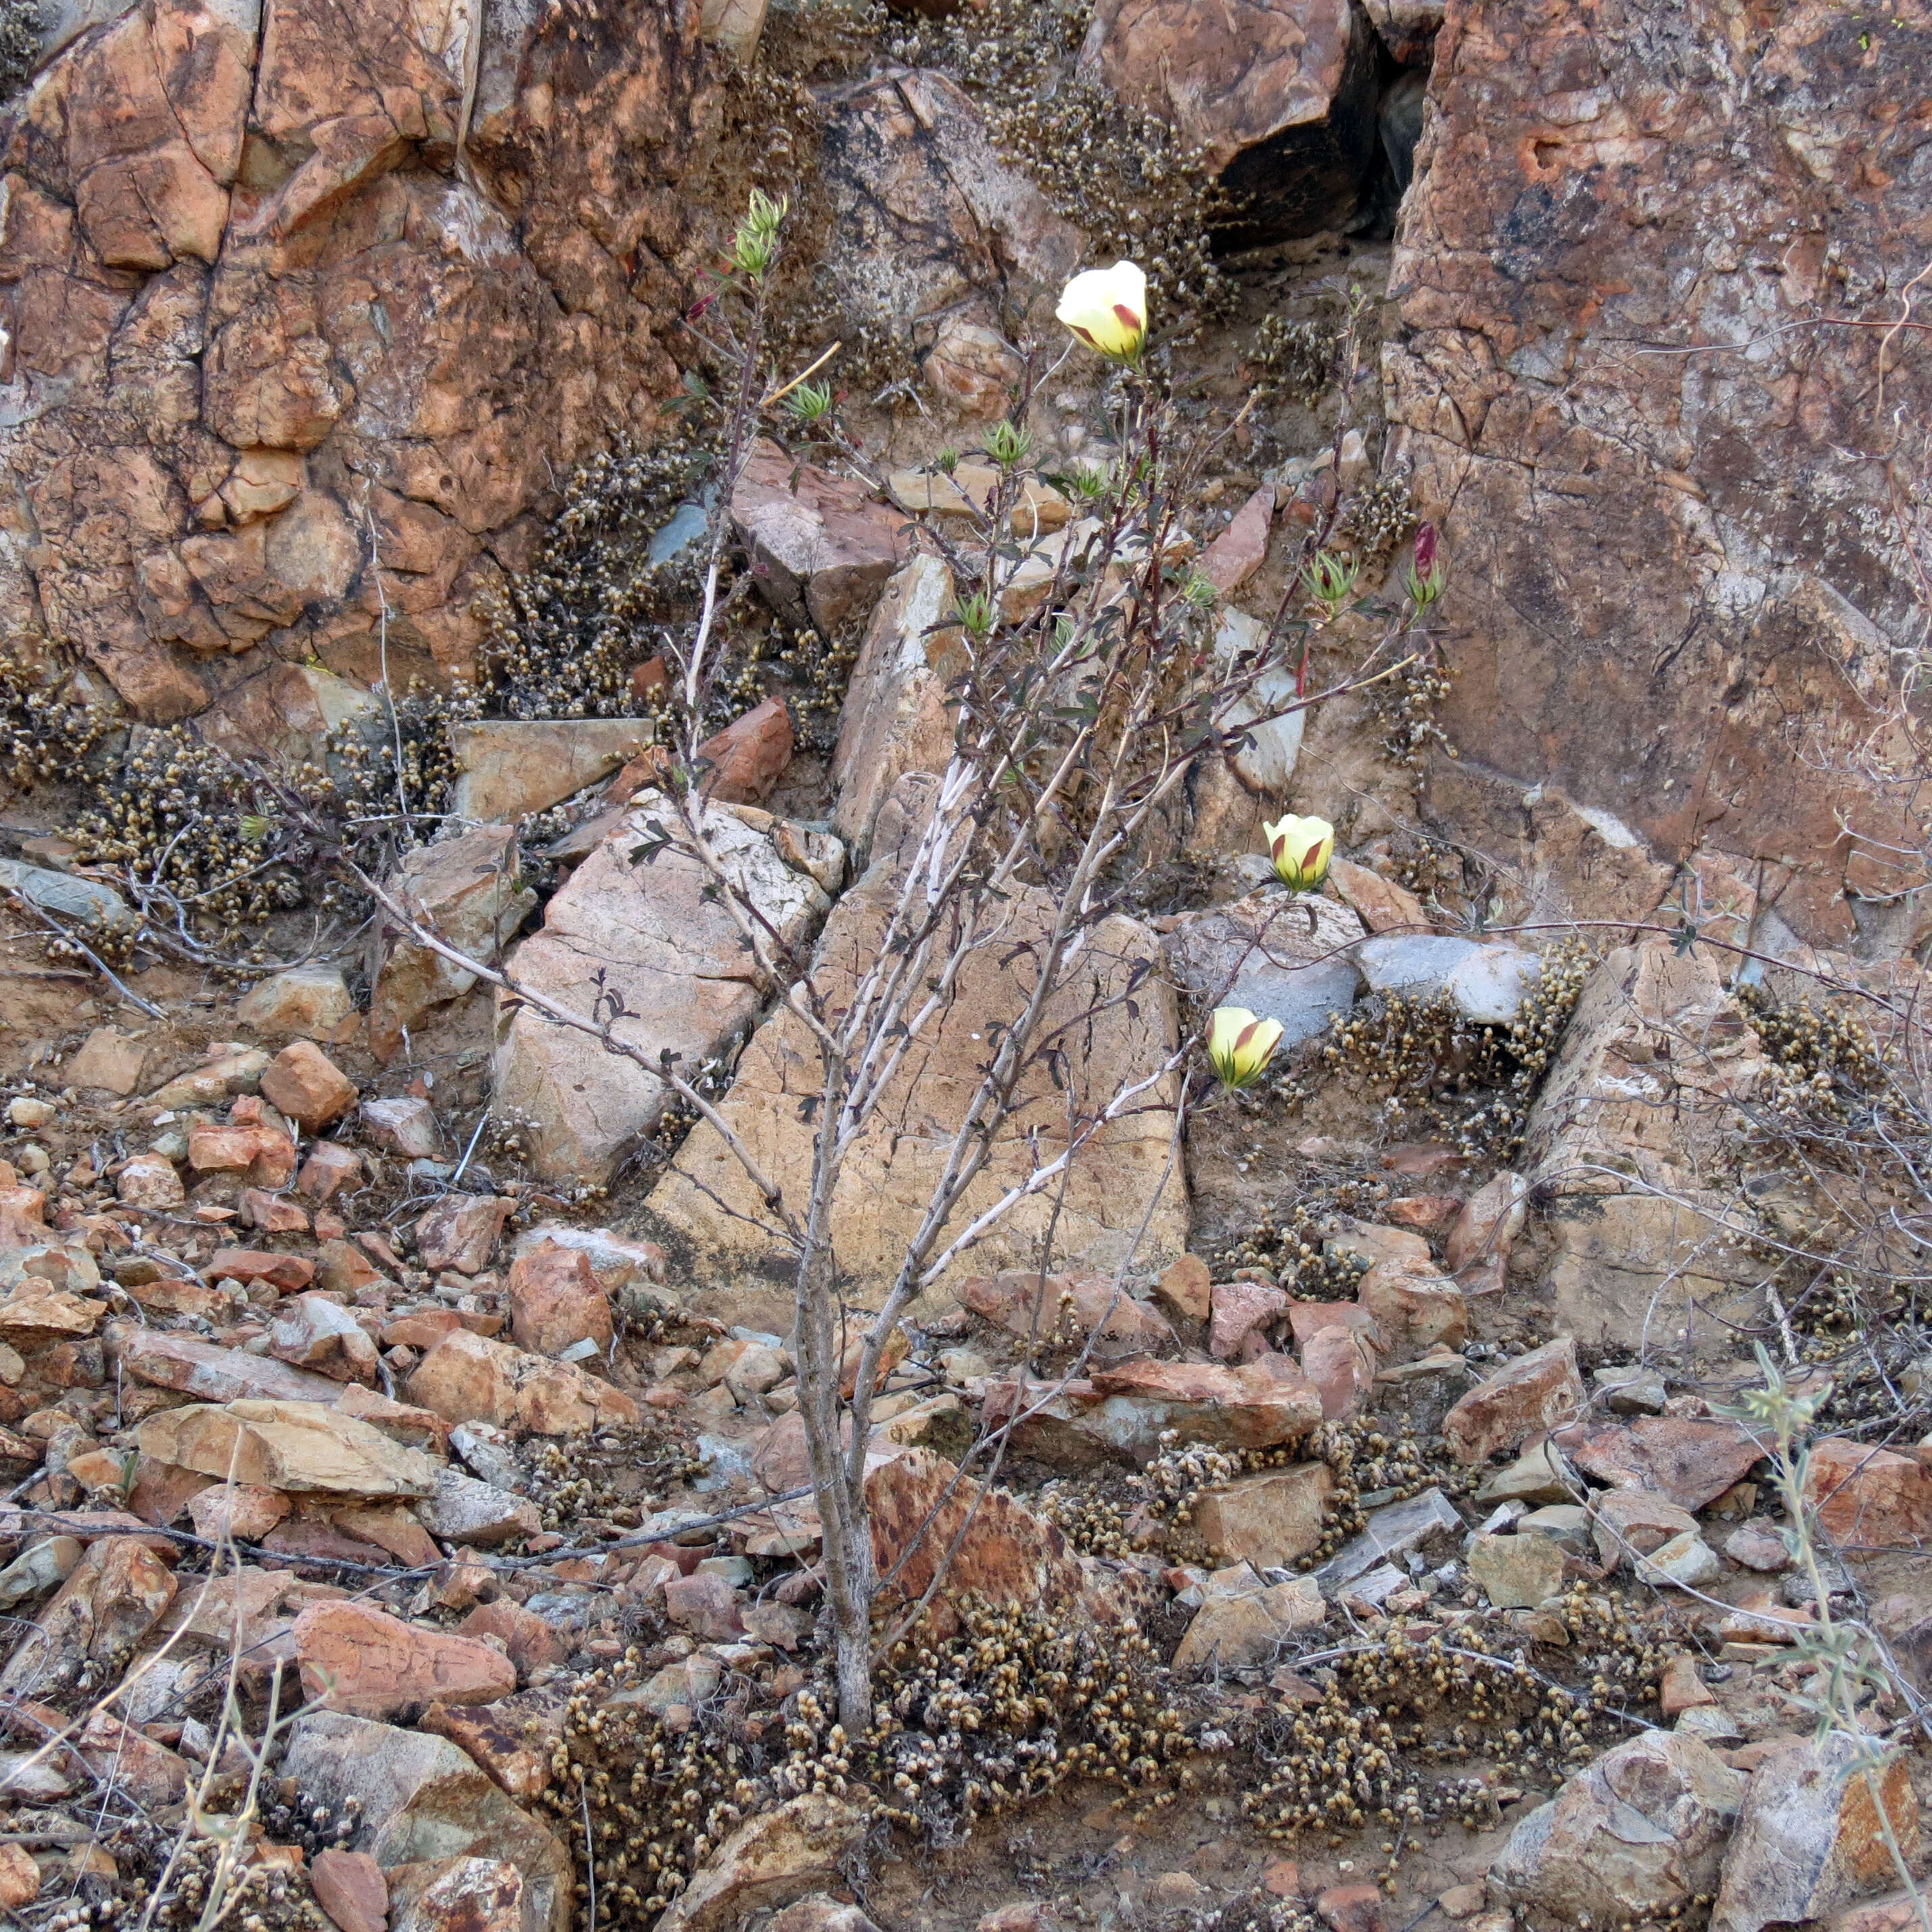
1686 573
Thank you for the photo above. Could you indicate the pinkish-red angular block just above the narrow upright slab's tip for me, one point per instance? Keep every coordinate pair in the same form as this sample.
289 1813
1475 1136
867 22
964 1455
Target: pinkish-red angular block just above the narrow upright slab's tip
822 550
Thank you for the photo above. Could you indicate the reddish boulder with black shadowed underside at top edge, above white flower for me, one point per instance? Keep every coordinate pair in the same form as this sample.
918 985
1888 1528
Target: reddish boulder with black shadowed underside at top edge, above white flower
1280 98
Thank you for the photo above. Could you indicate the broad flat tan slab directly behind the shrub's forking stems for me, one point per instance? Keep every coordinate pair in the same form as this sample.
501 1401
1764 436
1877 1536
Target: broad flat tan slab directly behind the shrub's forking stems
890 1176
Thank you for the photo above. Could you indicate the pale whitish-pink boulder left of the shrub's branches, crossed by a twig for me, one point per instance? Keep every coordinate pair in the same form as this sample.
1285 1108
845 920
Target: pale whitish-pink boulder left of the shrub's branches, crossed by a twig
654 936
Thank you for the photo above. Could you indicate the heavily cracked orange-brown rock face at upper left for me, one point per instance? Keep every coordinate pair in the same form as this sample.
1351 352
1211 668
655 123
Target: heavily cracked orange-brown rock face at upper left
266 339
